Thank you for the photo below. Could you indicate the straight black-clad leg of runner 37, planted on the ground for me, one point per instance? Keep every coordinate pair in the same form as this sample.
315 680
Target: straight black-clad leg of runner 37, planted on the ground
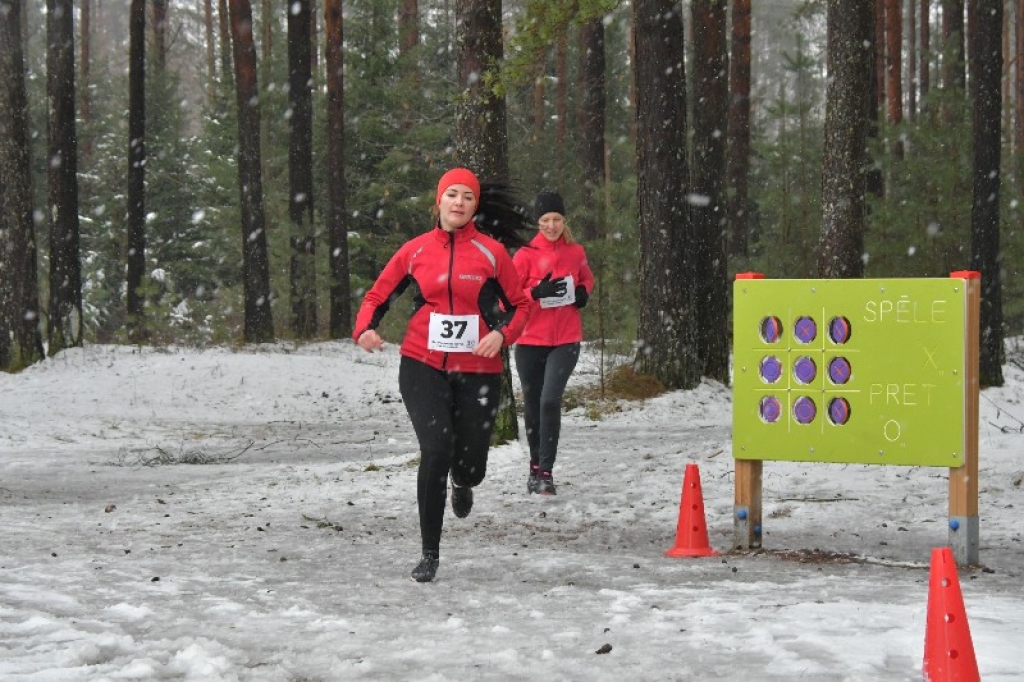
429 400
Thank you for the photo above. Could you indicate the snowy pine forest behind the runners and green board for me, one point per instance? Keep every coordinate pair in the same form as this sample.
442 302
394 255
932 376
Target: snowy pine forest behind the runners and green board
174 74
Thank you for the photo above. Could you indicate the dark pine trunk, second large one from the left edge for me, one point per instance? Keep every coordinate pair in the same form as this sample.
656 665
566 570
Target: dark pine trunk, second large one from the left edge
66 269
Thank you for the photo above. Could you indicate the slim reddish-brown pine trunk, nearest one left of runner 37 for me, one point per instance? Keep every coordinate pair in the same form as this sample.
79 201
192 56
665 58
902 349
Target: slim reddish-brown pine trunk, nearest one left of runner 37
342 305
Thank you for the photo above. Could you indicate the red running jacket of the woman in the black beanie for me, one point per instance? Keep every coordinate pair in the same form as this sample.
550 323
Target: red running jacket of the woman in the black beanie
552 327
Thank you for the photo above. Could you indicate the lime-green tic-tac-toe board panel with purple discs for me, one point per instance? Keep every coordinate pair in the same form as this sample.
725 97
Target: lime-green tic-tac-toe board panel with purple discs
857 371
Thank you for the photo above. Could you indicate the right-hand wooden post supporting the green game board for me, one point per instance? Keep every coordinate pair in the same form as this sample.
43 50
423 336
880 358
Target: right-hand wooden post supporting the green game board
964 527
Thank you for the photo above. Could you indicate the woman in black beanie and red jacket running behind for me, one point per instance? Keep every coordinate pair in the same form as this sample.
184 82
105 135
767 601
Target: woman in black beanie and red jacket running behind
554 270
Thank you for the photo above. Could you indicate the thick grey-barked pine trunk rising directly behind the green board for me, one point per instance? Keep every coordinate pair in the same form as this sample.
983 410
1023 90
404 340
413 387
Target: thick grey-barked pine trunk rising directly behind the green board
851 27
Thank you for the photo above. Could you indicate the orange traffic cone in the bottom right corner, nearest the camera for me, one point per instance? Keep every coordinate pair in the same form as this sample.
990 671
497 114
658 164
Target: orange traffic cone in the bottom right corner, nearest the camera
949 651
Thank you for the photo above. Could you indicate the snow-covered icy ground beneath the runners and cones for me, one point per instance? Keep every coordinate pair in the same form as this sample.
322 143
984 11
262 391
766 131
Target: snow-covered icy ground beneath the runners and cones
283 551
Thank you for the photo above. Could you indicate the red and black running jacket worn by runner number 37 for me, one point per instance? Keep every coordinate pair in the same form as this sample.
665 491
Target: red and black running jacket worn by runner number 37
462 273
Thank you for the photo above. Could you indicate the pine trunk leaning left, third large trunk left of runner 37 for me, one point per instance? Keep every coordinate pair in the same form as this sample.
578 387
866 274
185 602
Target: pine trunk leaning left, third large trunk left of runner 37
255 275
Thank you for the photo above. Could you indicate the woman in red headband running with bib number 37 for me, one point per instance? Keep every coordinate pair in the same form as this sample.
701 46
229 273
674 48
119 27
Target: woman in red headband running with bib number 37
450 372
